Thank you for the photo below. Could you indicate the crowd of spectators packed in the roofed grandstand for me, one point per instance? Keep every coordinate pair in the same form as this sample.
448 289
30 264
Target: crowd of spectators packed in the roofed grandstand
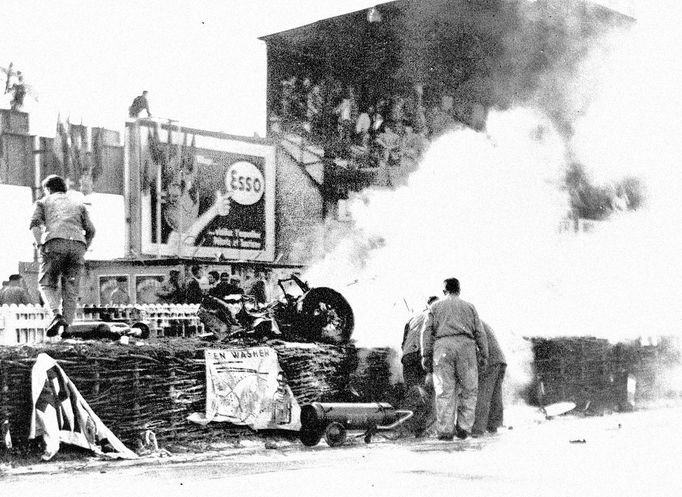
373 132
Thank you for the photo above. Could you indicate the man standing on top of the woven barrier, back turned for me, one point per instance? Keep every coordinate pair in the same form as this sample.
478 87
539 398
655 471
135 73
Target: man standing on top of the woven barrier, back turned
63 232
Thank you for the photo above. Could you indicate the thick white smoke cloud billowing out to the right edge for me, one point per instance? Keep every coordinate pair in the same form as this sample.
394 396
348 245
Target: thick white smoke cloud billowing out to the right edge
487 209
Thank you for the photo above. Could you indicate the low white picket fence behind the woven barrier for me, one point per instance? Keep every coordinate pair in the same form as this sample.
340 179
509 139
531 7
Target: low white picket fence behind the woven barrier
26 324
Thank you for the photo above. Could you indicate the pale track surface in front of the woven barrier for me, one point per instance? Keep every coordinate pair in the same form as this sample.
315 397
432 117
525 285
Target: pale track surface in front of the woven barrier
615 454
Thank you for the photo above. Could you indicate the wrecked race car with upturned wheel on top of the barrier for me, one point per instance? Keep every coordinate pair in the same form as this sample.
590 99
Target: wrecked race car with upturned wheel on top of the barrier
302 314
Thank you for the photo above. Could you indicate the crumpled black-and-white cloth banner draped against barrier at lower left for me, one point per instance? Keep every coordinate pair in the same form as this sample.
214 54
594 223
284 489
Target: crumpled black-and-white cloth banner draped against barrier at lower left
61 414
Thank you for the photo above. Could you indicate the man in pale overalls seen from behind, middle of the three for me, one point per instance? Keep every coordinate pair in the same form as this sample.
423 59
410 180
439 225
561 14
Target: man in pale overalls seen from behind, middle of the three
450 336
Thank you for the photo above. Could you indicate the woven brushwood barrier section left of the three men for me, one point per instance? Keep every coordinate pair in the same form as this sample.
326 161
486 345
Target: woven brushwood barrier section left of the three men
156 385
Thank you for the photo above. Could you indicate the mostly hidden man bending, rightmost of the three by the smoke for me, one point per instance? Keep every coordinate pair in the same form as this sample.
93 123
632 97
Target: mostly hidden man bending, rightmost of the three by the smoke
489 407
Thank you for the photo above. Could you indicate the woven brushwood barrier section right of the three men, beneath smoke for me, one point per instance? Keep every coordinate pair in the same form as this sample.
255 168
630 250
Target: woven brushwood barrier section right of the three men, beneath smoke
598 375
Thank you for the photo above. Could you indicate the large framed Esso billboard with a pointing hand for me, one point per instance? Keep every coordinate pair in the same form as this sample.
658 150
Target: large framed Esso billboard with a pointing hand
201 194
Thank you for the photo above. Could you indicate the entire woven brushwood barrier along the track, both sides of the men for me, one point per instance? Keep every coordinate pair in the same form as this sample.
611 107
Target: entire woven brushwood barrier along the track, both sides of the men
158 384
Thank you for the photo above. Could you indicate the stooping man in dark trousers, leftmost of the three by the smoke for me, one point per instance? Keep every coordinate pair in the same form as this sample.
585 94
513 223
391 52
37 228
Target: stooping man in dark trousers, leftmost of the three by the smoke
418 396
